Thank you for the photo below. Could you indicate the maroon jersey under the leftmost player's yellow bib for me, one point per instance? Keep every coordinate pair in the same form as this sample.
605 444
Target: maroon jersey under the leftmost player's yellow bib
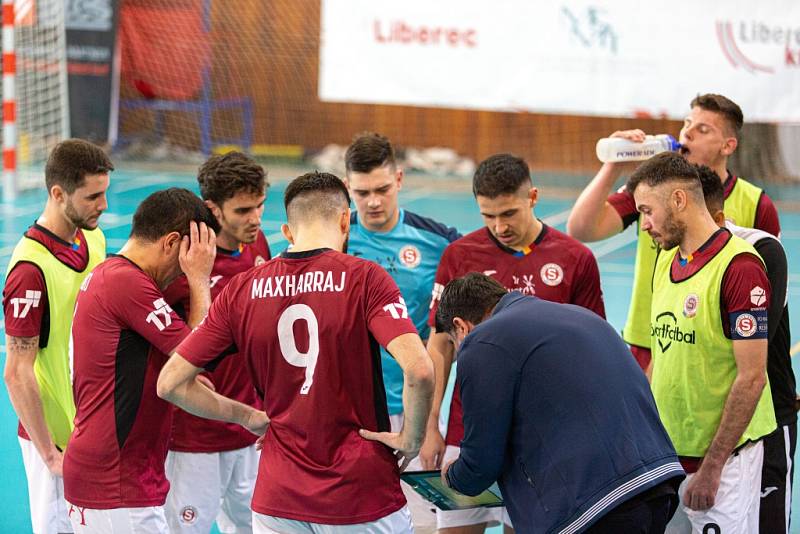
25 303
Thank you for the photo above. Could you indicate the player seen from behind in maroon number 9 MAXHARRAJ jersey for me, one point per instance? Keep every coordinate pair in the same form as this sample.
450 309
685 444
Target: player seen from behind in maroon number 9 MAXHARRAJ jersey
308 324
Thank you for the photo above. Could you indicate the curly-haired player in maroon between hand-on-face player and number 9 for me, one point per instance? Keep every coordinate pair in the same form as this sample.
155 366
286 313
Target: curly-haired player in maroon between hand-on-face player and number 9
212 465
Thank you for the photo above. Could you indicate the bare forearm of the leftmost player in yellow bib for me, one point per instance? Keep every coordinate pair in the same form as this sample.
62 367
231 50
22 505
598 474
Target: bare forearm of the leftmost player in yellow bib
23 390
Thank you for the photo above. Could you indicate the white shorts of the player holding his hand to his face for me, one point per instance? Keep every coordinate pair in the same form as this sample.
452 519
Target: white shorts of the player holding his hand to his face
148 520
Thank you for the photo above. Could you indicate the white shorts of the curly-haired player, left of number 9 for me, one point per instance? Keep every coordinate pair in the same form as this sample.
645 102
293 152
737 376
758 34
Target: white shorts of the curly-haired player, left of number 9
205 487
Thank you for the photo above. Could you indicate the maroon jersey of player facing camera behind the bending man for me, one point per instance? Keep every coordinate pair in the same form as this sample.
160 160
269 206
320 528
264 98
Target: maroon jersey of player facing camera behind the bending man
557 268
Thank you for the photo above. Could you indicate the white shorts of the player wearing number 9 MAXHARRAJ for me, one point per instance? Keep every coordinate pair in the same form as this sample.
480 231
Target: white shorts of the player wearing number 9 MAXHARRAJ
398 522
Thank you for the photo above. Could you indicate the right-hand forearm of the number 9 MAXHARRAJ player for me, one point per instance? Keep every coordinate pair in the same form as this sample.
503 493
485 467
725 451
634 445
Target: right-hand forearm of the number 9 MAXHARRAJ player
418 388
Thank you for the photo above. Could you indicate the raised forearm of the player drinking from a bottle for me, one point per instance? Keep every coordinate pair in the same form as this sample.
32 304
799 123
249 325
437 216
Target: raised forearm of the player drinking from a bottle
586 221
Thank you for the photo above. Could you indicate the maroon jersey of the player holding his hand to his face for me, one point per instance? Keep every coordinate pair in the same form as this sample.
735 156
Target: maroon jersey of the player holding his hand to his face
121 333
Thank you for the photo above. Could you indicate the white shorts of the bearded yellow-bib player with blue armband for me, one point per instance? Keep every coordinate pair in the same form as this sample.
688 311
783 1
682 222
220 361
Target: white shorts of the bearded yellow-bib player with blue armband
736 506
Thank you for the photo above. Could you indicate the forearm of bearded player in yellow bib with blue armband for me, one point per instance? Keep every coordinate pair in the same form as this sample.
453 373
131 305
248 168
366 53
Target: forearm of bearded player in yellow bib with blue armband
737 414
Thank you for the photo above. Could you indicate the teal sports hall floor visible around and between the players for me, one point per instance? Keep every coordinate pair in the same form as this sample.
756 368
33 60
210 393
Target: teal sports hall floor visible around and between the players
128 188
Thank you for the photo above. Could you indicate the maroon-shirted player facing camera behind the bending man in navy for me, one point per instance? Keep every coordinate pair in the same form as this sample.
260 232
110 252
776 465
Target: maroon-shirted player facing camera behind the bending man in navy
523 254
